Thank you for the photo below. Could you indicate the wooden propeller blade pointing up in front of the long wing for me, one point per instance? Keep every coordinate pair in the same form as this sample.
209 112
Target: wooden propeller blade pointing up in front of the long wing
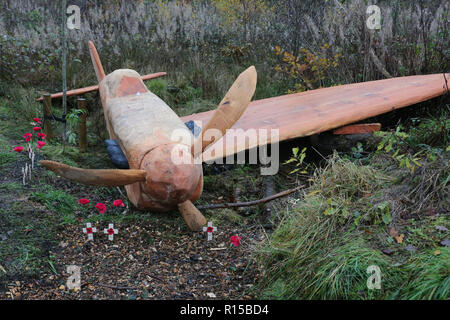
230 108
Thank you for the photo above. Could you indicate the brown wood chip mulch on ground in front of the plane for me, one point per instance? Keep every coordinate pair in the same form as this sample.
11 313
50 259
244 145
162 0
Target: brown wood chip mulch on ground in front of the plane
149 261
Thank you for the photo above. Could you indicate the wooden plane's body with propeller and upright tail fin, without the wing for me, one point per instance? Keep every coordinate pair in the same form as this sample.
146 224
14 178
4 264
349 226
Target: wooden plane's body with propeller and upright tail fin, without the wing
143 124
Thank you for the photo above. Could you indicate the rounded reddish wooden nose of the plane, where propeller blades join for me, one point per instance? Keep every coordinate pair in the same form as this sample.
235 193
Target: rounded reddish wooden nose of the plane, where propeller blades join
172 176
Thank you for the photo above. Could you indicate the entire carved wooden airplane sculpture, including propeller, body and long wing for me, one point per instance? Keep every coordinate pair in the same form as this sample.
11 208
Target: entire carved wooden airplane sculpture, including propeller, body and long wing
143 124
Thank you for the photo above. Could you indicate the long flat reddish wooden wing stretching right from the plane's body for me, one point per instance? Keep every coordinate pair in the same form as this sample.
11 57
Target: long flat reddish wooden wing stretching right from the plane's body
315 111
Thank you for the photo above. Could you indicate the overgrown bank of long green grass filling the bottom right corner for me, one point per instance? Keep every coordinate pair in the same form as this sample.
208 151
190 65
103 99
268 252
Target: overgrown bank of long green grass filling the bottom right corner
322 248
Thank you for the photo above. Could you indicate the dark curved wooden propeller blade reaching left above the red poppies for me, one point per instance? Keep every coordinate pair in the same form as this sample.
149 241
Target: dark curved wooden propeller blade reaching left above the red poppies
96 177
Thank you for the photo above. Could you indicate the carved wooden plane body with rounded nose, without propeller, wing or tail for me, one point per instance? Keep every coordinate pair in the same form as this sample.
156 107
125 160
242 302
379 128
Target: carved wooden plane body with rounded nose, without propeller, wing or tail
143 125
